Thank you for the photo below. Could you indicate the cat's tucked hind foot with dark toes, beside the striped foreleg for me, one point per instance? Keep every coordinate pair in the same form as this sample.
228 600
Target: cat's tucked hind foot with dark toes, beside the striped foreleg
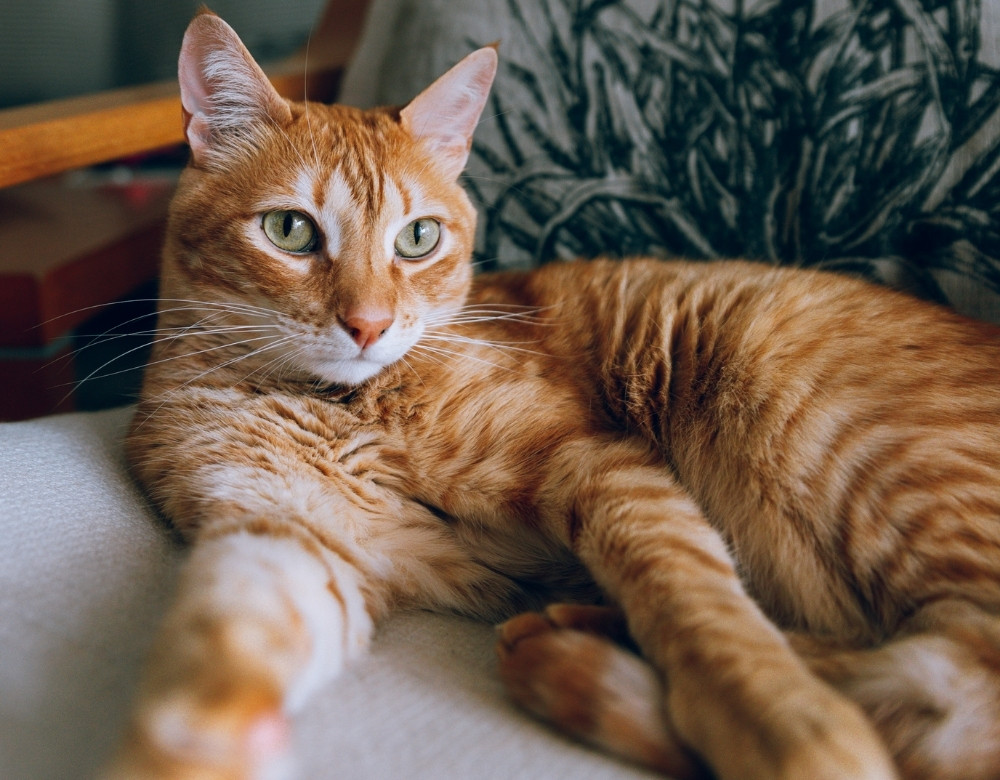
567 667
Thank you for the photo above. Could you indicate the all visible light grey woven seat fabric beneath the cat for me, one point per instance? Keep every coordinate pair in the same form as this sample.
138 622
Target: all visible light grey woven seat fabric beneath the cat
87 572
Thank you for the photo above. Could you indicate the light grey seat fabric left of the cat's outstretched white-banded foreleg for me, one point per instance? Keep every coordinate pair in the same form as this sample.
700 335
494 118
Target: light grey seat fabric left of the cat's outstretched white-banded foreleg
86 567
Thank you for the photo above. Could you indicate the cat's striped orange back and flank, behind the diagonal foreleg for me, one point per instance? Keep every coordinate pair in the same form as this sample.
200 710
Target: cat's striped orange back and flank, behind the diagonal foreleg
851 428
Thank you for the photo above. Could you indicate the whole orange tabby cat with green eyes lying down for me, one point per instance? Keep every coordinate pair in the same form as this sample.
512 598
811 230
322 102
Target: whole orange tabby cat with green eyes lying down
788 482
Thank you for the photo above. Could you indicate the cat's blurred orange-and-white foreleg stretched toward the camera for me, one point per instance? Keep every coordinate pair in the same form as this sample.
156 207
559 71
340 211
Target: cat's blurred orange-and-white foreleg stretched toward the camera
259 622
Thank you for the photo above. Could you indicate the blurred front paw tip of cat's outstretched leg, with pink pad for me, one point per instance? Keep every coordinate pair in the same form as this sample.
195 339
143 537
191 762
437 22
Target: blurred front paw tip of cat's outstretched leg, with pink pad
224 733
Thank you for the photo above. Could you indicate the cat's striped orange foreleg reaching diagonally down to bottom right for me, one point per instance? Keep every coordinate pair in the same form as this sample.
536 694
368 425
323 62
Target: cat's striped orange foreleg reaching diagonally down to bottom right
735 690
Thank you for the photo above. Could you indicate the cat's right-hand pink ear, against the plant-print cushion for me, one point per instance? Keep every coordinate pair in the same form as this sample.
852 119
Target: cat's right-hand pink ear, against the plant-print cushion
444 116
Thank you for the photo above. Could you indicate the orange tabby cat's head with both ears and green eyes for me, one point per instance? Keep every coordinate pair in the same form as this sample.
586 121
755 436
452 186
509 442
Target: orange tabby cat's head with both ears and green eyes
339 233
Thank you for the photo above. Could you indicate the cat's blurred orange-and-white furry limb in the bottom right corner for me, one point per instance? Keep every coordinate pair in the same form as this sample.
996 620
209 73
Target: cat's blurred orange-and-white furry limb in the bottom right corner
933 690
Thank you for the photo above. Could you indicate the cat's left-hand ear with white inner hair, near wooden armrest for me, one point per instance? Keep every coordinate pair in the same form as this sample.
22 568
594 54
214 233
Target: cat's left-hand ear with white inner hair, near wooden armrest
226 98
